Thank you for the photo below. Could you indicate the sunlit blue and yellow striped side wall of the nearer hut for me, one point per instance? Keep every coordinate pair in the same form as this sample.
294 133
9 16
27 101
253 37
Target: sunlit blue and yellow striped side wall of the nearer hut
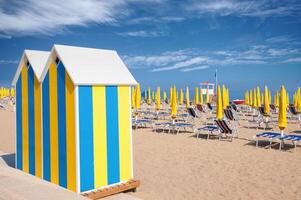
104 135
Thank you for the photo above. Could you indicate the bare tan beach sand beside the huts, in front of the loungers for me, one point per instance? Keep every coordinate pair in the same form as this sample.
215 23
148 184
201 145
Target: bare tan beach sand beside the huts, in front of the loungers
181 166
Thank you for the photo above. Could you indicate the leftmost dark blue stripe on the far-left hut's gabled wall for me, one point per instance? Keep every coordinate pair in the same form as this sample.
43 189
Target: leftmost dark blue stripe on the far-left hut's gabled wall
19 122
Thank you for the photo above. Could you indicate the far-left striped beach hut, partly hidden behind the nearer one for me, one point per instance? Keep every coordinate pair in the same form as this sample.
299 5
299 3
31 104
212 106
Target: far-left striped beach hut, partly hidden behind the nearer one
28 111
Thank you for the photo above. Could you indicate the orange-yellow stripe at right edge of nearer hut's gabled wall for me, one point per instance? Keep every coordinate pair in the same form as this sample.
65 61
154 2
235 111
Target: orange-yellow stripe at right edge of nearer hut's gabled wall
70 134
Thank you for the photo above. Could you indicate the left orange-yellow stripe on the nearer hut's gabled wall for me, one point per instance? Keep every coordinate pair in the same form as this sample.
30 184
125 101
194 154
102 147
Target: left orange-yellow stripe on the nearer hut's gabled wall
53 124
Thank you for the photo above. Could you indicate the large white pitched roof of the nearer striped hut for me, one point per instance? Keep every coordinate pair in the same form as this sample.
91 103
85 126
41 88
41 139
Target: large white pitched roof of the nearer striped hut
87 66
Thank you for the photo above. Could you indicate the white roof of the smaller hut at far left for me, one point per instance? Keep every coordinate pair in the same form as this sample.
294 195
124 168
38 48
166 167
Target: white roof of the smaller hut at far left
37 60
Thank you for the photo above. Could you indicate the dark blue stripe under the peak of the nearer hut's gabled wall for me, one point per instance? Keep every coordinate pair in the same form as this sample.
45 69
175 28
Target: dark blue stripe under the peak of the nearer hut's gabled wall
62 125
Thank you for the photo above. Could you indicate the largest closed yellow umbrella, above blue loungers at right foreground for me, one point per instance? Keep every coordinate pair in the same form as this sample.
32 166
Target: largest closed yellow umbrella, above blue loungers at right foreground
282 122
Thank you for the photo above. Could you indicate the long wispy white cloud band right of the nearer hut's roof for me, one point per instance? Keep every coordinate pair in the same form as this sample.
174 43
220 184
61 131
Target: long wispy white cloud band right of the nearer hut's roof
193 59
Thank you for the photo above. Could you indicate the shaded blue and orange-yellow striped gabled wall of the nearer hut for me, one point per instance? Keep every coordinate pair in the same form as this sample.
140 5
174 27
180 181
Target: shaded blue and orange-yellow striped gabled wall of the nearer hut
59 147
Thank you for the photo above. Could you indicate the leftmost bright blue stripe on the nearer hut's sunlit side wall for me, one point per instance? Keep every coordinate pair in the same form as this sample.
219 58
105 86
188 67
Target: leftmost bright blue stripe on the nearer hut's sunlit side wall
86 138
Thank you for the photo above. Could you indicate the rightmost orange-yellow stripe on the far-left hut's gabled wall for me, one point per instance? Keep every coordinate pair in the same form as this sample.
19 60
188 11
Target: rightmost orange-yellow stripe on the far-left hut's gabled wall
37 124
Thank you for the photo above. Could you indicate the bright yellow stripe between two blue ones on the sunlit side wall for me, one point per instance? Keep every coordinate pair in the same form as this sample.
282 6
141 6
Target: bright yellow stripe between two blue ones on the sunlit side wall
99 134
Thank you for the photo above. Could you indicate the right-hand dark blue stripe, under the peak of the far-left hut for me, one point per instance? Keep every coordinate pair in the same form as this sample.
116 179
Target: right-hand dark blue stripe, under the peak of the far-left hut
31 127
